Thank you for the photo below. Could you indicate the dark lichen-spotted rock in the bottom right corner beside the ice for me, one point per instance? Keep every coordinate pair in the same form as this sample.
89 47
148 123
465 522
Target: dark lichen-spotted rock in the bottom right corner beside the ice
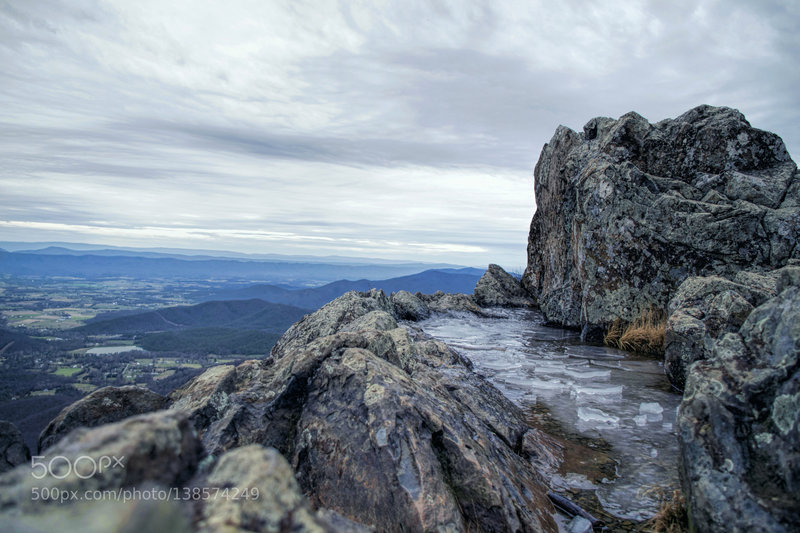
739 422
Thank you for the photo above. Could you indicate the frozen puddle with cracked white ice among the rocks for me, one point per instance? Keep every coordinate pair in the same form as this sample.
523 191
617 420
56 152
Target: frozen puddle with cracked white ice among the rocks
593 391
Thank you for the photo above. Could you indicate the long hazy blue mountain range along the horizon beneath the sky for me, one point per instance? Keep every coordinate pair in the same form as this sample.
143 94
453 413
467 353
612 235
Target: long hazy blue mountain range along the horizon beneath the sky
98 264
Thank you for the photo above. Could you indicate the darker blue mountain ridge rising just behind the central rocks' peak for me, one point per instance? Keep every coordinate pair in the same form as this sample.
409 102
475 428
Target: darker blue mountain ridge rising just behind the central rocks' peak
446 280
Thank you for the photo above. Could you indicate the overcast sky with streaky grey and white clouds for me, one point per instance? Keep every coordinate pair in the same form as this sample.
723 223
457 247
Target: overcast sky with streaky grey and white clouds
390 129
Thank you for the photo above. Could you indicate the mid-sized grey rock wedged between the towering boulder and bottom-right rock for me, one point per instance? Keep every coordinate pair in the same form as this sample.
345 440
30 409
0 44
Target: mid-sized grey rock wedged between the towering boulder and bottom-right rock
705 308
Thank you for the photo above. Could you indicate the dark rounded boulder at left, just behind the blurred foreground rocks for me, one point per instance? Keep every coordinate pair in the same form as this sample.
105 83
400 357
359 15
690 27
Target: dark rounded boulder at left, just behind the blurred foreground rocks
103 406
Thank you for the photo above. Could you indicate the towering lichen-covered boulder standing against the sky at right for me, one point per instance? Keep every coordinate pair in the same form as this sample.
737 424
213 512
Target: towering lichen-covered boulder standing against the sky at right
627 210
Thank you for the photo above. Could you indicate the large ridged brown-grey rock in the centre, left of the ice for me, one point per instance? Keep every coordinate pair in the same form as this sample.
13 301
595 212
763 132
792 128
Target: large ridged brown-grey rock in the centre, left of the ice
381 424
